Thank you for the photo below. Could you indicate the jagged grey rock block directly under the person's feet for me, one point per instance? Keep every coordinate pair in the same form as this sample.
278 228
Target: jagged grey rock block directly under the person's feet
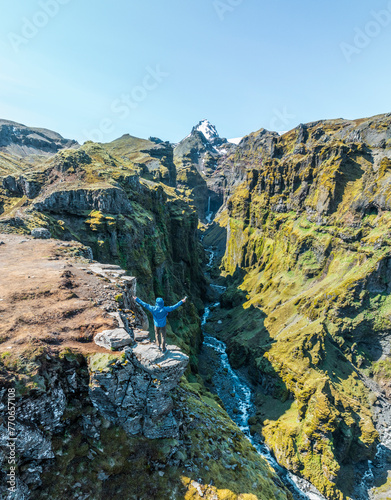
134 393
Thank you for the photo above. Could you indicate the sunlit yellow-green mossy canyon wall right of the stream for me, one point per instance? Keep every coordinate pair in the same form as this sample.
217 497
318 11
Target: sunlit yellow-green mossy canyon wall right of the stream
307 307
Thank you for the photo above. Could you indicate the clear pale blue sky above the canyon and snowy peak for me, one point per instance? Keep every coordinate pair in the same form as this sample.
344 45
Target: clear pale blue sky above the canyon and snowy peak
98 69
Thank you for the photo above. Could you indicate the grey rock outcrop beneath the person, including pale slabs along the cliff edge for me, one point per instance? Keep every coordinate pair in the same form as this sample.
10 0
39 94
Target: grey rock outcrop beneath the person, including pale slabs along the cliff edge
134 392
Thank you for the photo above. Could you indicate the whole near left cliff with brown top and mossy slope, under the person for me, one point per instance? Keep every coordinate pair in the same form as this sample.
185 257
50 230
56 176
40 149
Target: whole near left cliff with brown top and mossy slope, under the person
110 423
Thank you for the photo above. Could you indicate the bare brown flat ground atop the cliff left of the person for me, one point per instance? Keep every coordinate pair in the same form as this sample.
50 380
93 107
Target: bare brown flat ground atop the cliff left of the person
47 298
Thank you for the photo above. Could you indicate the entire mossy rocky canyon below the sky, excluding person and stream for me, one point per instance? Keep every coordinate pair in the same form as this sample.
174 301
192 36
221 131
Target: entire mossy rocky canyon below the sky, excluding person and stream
299 227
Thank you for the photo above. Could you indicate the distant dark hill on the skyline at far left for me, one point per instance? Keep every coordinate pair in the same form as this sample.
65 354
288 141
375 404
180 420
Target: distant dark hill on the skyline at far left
19 140
